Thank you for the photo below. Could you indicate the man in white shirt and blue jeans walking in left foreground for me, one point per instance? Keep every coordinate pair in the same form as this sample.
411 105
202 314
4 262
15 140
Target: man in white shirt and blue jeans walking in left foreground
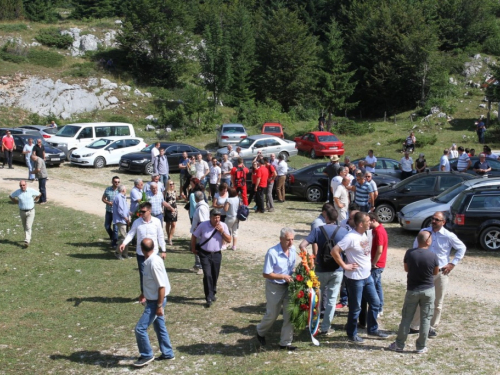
156 288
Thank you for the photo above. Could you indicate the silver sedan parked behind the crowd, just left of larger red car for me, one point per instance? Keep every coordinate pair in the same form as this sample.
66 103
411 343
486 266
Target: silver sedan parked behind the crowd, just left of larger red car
265 144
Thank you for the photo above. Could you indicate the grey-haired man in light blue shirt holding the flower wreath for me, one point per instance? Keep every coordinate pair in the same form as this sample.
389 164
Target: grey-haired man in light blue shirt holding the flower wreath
279 265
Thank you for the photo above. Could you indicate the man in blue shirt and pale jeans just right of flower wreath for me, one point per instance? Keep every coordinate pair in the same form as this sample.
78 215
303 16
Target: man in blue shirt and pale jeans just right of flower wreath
330 277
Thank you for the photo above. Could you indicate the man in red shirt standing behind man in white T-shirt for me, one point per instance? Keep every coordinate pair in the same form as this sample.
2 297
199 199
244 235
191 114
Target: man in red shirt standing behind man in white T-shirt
380 241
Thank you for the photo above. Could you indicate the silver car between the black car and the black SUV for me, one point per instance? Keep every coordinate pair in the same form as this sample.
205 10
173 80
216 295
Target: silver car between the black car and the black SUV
417 215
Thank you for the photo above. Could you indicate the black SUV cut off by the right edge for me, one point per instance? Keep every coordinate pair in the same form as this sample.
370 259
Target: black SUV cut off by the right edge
475 214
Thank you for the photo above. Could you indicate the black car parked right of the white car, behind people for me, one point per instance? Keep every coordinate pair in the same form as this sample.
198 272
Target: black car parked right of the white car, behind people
141 161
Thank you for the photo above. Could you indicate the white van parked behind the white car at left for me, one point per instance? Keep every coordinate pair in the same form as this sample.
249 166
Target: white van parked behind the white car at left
73 136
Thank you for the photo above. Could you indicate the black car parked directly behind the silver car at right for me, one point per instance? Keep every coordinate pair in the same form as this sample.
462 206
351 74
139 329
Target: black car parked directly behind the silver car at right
419 186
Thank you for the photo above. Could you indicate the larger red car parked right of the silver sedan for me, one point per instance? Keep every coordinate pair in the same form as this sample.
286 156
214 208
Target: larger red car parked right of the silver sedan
319 144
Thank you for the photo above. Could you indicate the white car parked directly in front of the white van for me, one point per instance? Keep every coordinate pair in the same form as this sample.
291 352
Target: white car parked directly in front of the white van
106 151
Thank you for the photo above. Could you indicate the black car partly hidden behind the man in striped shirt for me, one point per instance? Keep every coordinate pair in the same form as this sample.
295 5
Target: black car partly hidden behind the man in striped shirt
310 182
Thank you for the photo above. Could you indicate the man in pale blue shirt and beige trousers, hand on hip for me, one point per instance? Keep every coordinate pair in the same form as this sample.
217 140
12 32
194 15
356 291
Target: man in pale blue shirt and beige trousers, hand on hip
442 242
